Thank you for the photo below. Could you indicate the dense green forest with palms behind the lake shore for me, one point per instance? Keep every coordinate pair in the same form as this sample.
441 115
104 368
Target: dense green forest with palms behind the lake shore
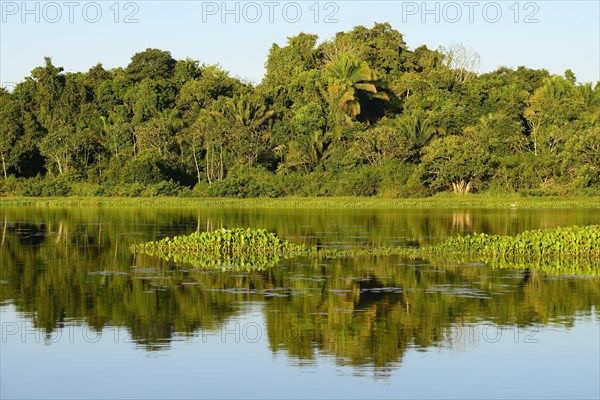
359 114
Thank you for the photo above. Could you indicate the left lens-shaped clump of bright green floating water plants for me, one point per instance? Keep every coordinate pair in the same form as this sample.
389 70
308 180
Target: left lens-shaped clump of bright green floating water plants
223 248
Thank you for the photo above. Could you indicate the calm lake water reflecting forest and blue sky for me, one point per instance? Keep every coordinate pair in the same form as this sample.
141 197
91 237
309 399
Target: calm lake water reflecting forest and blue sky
82 317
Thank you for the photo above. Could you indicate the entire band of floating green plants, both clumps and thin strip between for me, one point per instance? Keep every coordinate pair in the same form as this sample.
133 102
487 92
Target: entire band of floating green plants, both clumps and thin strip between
563 250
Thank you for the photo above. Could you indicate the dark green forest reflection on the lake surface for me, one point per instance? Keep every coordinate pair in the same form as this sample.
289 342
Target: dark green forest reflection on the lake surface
65 265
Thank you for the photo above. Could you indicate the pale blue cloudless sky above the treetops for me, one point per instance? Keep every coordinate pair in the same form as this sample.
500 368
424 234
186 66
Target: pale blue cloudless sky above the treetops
237 35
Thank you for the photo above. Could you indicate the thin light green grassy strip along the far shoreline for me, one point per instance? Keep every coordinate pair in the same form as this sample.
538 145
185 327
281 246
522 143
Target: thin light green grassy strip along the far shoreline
446 201
